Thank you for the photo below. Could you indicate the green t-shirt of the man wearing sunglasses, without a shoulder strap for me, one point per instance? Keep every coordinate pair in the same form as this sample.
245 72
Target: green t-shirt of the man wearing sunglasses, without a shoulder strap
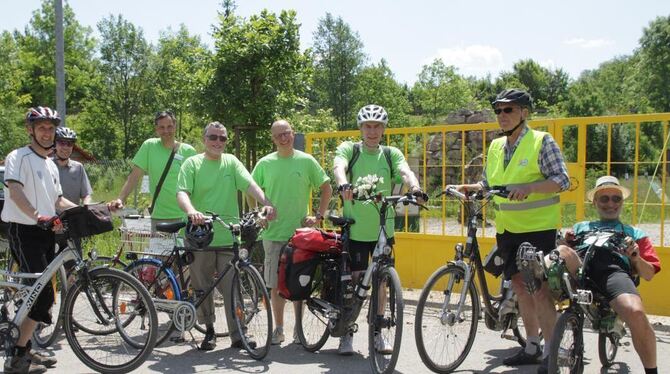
212 186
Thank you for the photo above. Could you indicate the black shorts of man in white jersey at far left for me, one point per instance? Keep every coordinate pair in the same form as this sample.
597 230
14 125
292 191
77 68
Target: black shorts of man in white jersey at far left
33 248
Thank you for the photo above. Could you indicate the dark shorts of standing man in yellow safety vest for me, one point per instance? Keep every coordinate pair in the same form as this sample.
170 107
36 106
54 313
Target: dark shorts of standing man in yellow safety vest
508 244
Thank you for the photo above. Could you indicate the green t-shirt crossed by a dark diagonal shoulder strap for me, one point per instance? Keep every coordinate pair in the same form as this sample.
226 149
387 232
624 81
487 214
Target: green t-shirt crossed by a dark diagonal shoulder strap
152 158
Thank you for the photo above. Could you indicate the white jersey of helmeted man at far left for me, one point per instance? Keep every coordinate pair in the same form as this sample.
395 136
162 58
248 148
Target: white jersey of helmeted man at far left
39 177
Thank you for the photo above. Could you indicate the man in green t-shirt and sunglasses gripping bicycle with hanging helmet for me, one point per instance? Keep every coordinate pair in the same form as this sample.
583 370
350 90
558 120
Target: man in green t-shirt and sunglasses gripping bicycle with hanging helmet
209 182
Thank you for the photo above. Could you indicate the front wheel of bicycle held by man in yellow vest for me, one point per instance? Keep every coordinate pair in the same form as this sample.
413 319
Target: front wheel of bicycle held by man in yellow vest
435 327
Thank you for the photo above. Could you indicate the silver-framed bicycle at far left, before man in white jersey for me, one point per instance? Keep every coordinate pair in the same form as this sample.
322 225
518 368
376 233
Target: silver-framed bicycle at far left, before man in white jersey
100 298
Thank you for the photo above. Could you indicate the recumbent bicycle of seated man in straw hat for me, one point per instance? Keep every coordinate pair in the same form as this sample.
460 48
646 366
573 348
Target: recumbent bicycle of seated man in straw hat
566 350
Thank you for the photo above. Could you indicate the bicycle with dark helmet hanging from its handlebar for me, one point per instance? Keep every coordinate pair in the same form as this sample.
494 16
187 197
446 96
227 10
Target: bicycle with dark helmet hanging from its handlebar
177 302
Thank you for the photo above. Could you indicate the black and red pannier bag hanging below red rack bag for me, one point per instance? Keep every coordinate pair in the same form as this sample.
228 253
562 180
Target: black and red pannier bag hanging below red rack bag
296 272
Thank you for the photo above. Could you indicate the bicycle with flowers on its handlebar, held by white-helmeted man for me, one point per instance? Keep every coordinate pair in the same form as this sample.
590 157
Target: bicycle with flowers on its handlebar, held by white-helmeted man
334 303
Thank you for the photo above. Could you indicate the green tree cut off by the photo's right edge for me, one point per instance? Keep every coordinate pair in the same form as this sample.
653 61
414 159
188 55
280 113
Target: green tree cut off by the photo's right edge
655 63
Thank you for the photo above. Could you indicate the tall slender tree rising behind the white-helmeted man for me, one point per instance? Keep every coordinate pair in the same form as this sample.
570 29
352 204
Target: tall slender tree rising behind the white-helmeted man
338 58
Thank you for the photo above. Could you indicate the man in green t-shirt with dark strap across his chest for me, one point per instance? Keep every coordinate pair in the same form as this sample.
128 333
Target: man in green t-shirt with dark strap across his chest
151 159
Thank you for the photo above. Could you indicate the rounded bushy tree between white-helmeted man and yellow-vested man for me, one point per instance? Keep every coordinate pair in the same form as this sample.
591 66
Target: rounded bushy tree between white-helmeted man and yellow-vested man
440 90
